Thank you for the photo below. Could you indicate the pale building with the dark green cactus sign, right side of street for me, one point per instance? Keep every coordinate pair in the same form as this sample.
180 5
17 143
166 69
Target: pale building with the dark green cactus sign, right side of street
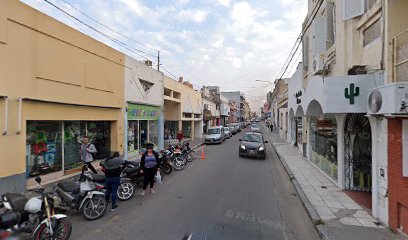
351 53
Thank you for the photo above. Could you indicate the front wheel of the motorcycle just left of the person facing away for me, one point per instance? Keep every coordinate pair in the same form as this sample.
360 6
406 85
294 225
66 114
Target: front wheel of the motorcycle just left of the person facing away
95 207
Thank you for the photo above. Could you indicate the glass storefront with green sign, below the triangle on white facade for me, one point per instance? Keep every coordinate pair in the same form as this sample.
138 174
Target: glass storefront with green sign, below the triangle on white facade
143 127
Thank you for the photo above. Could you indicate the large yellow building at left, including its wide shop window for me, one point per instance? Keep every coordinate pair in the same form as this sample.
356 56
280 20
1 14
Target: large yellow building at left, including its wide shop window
57 85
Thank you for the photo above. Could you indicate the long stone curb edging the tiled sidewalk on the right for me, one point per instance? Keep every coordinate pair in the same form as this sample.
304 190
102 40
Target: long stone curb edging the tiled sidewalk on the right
311 211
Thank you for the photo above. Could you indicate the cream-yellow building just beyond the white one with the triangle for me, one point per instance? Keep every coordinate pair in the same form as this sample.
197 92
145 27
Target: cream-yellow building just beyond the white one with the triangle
182 109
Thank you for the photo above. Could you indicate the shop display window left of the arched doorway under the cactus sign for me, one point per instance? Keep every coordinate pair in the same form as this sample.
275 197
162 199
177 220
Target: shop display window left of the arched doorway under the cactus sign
323 143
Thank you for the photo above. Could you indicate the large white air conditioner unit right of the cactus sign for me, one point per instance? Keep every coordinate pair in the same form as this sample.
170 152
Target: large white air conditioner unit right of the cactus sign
389 99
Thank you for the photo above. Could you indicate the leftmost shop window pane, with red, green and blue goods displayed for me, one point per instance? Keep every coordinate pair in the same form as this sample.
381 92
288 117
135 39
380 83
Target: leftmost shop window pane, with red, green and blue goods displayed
43 147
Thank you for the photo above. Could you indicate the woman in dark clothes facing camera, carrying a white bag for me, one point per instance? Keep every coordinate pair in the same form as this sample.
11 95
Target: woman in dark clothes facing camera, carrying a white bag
150 166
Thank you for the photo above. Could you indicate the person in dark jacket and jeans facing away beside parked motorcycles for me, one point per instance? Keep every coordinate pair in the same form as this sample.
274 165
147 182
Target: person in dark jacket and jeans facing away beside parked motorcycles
112 167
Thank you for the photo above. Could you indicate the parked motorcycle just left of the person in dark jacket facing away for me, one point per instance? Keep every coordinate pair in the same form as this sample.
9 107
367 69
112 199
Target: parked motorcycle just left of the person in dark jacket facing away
84 196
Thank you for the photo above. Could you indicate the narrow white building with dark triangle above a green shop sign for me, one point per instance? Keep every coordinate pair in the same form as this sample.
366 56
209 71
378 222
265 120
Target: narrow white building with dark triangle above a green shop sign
144 107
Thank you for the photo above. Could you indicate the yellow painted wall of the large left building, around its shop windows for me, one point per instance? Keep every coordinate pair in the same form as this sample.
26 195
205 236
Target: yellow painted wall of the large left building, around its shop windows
43 59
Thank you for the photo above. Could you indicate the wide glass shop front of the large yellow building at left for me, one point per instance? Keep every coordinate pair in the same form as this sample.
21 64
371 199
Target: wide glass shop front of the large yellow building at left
53 146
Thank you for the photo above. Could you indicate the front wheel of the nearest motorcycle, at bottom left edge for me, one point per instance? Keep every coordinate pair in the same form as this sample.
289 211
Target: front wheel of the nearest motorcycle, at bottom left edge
62 230
